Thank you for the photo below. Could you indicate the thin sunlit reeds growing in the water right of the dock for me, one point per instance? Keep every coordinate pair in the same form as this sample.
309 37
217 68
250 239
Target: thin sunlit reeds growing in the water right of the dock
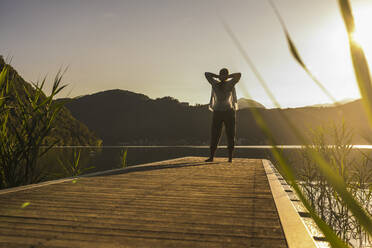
332 142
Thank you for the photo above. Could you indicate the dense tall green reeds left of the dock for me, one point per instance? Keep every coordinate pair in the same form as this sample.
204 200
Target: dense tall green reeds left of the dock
27 117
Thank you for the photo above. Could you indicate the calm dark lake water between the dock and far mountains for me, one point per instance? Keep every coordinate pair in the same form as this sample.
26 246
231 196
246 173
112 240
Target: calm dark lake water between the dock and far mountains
109 157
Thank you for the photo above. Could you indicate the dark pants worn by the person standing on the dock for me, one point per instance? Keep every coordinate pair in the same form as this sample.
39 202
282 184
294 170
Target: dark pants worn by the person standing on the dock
228 119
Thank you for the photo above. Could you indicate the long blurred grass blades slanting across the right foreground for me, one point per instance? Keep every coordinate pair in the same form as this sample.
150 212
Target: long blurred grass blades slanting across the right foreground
336 181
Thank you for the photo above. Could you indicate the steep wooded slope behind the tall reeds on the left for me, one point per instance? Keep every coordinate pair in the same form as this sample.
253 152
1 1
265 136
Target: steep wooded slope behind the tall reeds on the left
67 130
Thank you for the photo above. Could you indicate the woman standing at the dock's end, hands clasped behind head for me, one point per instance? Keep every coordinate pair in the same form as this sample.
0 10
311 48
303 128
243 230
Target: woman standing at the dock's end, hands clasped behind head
223 104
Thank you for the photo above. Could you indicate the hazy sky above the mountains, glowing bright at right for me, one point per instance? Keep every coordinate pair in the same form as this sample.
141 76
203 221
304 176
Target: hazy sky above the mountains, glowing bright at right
163 47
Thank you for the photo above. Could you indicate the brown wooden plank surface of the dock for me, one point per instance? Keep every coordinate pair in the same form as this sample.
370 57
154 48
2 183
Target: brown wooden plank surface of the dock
176 203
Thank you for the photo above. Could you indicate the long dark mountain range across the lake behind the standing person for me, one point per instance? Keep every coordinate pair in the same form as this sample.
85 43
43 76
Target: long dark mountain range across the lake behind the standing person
128 118
